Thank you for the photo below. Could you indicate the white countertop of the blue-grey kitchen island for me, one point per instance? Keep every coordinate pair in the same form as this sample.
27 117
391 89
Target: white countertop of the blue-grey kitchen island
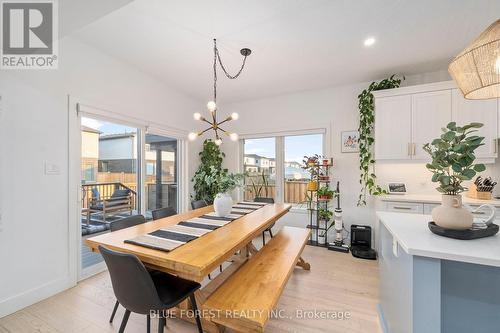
413 235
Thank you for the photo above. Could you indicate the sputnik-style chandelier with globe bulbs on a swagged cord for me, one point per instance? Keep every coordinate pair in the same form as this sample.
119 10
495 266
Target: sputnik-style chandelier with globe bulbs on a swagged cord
213 123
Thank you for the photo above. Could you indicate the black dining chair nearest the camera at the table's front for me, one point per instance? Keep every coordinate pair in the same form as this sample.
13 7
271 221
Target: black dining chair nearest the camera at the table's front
141 292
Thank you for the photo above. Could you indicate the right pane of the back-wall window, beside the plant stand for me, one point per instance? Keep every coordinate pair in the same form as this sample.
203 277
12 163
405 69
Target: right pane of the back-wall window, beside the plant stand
296 178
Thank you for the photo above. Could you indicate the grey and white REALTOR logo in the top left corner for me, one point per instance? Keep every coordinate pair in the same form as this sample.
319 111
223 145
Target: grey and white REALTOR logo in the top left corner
29 34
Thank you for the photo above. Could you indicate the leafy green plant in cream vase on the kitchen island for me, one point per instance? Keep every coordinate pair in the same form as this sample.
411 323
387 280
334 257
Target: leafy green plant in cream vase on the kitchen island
453 163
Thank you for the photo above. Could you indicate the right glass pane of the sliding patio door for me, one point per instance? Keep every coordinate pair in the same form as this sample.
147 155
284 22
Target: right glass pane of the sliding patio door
161 172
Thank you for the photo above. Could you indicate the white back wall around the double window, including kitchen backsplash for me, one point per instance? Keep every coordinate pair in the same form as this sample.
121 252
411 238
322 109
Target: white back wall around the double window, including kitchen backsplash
335 109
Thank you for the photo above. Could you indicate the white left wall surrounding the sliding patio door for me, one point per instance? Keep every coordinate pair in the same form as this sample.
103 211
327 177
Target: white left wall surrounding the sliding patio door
34 250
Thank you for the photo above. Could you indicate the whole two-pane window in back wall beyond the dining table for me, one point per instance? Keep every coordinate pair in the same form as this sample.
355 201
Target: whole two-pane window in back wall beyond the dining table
274 166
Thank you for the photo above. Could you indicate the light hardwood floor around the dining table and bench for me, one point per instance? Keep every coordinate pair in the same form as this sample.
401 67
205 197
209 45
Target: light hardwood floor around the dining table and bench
336 282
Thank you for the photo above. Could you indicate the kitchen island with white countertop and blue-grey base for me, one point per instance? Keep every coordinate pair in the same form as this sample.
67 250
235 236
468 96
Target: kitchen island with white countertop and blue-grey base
431 284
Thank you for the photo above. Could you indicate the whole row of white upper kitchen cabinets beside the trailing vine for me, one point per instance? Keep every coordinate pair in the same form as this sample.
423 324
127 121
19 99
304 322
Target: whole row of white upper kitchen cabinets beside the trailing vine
406 118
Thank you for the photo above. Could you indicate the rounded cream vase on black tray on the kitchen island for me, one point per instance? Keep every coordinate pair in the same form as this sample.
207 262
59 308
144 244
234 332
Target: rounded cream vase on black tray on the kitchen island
451 214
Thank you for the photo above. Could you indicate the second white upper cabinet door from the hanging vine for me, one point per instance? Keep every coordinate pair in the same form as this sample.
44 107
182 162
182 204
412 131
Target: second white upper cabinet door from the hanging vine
430 112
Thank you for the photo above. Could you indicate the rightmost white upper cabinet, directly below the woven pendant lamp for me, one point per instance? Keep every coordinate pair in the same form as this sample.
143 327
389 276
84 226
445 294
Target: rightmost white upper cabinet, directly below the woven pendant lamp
479 111
